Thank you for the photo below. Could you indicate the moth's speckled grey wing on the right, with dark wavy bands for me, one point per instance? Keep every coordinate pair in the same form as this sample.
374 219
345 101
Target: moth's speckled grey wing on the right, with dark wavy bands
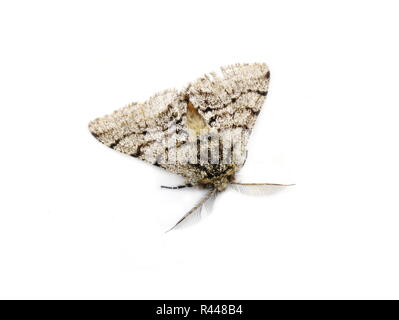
230 103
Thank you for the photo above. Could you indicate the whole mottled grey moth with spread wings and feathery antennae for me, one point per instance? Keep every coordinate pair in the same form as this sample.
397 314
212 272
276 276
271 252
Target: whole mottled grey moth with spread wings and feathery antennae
200 132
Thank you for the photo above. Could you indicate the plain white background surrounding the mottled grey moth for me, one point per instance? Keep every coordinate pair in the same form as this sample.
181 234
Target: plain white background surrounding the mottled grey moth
79 220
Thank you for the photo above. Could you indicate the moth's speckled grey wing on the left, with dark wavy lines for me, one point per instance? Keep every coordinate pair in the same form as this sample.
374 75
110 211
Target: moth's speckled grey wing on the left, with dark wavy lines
141 129
